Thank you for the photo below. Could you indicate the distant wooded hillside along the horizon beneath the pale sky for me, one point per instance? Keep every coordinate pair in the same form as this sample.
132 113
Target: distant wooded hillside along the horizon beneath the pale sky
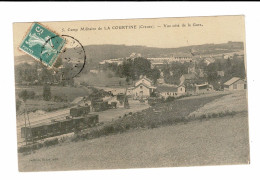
97 53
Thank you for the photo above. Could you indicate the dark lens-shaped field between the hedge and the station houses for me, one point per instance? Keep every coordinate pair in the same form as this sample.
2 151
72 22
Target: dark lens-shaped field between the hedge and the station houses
165 113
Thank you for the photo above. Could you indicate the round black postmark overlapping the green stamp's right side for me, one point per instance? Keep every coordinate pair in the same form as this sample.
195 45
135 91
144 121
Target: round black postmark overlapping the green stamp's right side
71 58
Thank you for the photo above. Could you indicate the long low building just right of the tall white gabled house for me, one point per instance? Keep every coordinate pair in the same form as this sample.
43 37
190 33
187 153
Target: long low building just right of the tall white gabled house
166 91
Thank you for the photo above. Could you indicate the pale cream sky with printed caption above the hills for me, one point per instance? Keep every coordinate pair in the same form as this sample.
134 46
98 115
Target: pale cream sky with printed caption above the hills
158 32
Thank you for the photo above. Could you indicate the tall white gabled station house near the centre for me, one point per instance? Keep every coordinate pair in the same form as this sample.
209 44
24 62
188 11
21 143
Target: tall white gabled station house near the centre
143 88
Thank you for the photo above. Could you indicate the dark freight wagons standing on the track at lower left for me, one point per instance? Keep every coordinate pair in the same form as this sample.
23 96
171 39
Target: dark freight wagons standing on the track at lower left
79 119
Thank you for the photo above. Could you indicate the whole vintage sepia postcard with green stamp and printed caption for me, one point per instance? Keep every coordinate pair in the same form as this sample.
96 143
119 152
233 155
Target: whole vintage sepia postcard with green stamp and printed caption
133 93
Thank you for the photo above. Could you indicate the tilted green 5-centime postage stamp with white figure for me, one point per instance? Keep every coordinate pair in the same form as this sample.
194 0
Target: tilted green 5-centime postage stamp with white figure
42 44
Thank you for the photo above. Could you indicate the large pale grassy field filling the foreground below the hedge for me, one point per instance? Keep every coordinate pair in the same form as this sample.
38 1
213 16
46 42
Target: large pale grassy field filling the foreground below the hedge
214 142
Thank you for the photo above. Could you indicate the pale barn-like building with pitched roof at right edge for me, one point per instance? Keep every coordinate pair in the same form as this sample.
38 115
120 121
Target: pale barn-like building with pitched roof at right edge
235 83
